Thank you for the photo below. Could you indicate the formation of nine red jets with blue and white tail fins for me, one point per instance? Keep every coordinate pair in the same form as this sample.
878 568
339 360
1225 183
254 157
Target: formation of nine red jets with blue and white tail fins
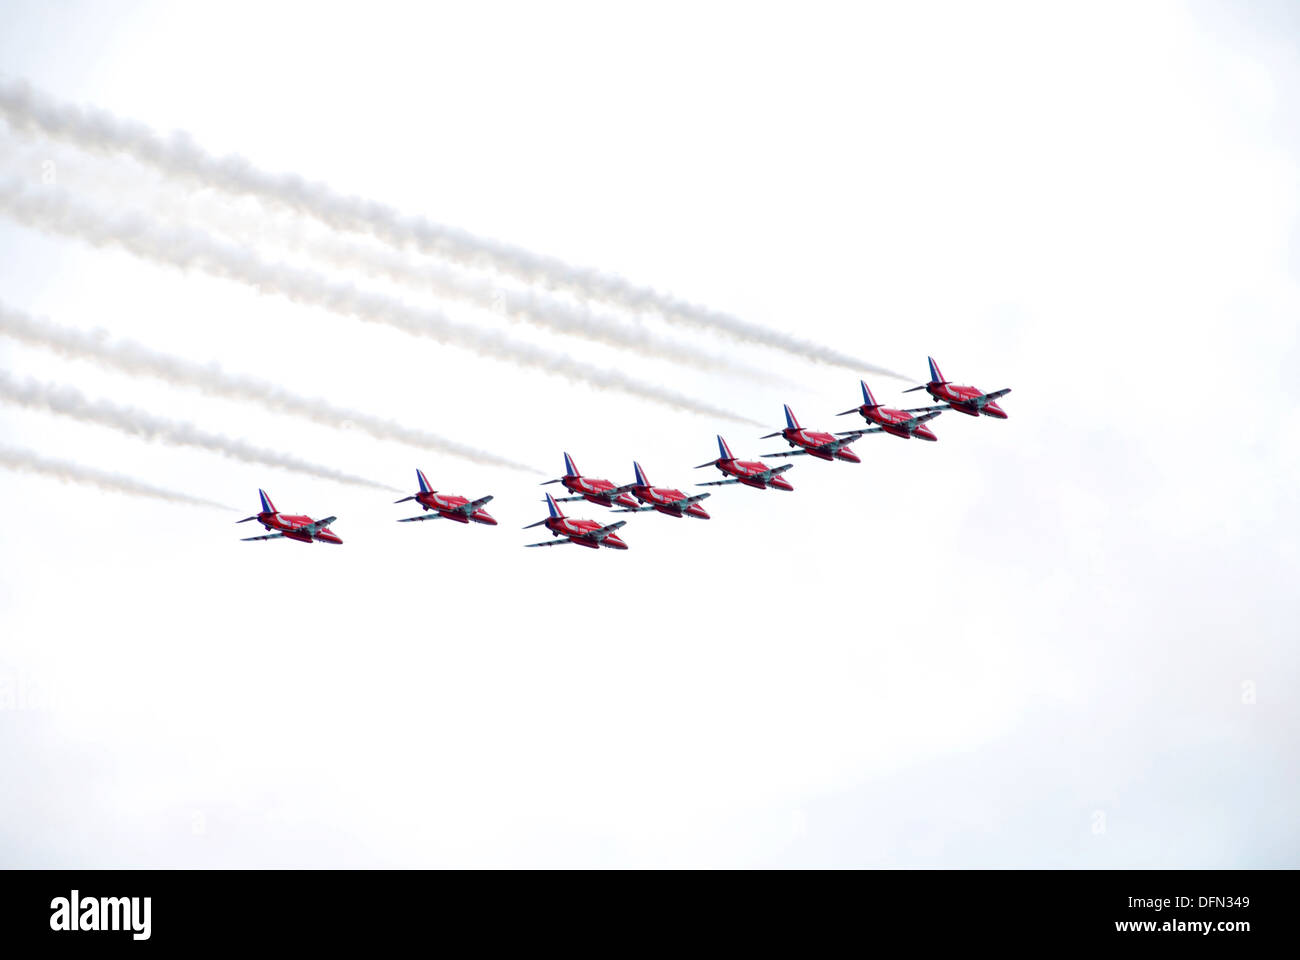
642 496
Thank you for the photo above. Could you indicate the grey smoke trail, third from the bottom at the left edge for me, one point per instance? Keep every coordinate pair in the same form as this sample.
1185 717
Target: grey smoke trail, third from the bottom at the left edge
137 360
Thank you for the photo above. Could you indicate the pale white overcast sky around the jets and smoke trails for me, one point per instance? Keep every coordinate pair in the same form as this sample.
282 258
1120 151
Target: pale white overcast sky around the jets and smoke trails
1025 646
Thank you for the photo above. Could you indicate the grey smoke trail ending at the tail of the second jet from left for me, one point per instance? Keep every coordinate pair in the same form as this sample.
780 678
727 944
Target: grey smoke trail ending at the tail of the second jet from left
70 403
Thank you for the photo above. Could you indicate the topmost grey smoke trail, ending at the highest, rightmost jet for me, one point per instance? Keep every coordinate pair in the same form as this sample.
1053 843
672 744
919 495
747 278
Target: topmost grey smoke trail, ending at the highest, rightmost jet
180 157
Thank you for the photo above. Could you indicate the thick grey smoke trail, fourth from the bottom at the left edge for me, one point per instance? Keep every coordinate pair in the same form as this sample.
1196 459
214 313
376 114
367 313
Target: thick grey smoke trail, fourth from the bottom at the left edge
188 249
